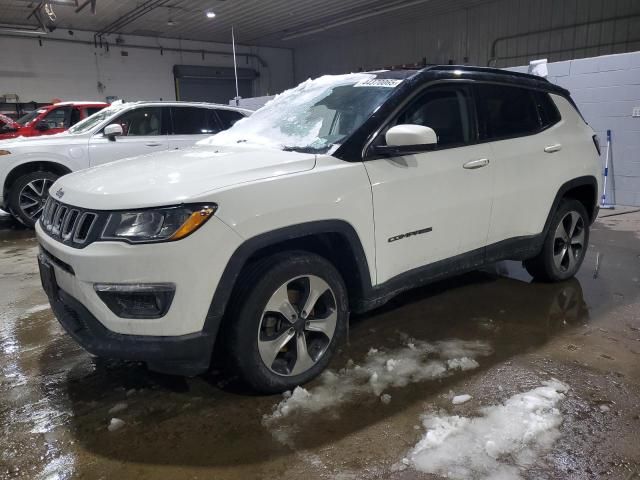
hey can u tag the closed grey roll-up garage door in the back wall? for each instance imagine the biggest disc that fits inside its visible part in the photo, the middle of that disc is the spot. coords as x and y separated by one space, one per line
211 84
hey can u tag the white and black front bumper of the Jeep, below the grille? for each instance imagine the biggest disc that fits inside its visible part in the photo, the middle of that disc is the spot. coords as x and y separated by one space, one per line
179 342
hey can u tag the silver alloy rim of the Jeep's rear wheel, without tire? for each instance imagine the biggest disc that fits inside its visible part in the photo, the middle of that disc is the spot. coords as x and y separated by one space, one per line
568 243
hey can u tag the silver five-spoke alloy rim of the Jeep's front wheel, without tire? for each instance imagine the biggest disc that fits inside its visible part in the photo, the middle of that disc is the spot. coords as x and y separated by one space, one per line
297 325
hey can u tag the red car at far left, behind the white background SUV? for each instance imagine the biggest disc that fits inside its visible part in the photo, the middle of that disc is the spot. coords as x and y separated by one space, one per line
51 119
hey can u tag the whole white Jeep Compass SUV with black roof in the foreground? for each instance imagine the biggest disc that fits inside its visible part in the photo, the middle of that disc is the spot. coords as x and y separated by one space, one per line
332 198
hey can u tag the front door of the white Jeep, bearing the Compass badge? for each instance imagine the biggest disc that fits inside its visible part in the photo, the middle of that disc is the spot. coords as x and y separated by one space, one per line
434 205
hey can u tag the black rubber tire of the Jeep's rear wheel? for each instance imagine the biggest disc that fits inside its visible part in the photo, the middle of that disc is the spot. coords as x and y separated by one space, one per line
544 266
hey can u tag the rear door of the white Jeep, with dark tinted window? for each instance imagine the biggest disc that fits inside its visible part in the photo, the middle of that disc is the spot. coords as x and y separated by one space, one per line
519 124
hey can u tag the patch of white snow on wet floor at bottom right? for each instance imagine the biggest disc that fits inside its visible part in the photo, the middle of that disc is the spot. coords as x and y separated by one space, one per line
497 444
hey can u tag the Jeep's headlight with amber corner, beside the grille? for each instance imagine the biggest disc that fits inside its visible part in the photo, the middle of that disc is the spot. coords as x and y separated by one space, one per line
157 225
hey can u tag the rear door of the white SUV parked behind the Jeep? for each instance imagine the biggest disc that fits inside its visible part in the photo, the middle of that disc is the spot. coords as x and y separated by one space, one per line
191 124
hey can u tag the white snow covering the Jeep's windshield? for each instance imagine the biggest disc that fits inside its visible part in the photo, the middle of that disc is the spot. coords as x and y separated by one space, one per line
287 119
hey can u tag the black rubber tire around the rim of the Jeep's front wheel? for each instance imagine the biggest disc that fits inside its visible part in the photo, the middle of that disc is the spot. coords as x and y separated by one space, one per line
243 323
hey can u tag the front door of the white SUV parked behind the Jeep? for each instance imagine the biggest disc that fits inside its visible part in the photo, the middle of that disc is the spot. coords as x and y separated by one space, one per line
144 131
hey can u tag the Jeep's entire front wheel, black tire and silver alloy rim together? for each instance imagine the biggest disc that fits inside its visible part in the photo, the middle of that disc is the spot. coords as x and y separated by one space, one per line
286 320
